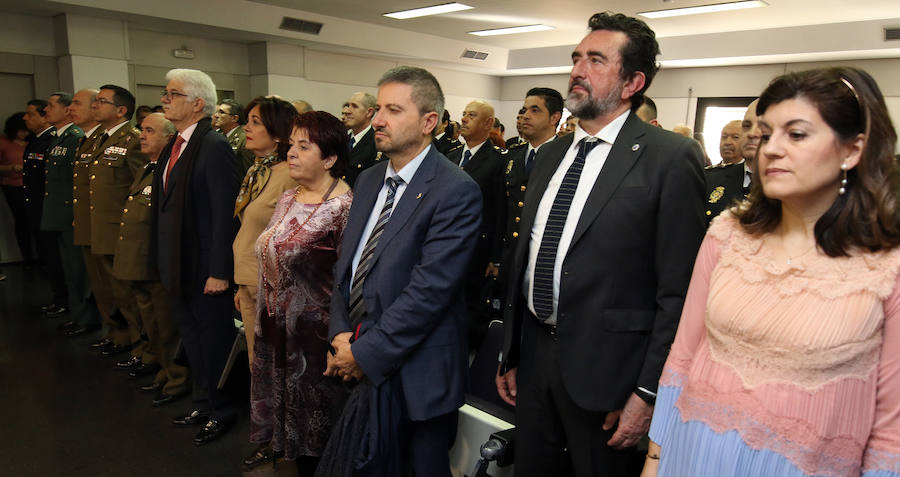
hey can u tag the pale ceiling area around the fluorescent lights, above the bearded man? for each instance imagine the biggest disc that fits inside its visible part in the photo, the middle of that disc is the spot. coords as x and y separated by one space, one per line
569 17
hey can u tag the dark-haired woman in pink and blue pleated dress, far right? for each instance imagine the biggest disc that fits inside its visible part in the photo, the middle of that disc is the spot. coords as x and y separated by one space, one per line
787 357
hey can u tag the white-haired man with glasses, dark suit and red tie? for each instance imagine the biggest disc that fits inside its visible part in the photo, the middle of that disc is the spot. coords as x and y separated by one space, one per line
194 187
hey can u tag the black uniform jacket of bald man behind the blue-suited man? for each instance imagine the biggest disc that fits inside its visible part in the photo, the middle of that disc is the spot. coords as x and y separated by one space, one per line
486 168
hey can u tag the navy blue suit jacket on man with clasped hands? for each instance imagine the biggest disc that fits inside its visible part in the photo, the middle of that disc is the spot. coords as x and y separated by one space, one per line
413 291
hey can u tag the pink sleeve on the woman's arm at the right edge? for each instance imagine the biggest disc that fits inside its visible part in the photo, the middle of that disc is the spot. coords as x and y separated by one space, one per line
882 456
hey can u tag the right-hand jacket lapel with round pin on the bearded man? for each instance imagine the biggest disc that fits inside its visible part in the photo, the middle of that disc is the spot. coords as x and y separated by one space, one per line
623 155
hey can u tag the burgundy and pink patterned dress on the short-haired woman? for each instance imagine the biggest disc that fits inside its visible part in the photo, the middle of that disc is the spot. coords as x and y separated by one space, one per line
291 403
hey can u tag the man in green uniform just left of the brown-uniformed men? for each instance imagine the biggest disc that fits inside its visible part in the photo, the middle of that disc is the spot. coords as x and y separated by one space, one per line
56 216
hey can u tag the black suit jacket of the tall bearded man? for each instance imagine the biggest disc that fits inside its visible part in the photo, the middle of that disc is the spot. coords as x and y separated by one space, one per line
626 272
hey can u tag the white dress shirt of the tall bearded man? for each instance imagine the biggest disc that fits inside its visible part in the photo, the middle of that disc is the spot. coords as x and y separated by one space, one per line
593 164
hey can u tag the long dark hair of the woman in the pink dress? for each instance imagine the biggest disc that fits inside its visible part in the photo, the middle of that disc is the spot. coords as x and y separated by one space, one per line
867 216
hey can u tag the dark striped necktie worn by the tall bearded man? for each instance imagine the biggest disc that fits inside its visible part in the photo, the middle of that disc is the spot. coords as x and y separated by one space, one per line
542 282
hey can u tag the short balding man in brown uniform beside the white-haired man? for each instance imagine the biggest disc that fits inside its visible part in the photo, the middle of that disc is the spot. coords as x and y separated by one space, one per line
133 266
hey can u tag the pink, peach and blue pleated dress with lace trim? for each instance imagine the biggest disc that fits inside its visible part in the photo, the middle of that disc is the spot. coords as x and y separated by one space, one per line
783 369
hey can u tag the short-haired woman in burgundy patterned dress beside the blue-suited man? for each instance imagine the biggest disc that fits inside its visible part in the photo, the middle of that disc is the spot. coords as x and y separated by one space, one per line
293 405
